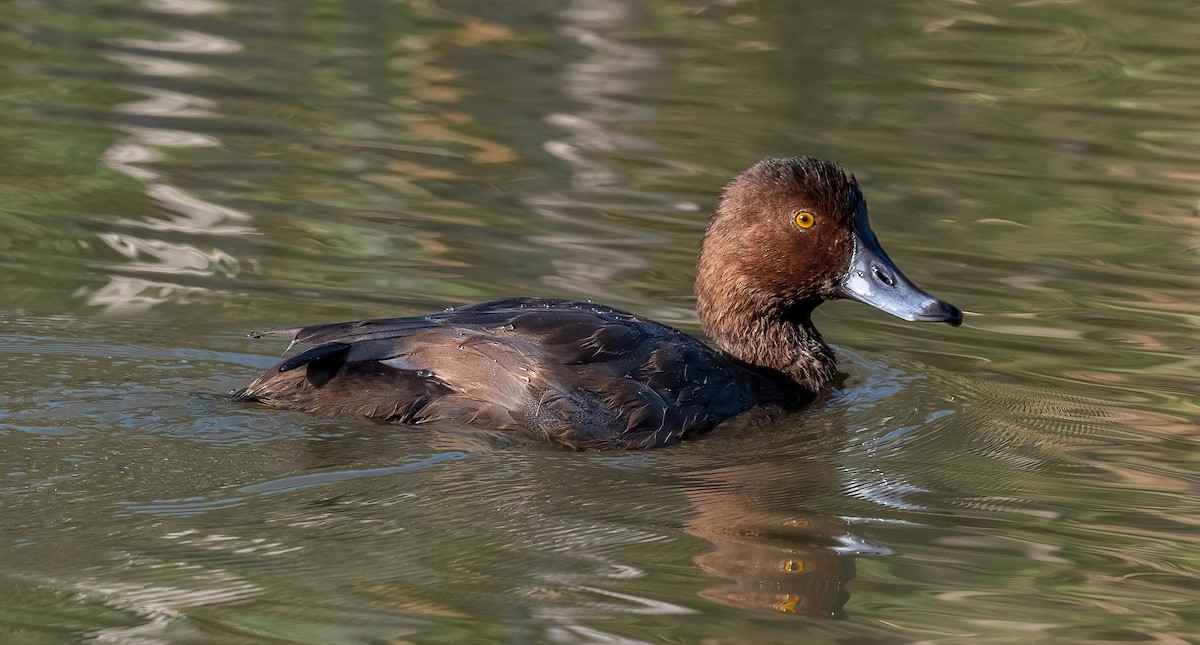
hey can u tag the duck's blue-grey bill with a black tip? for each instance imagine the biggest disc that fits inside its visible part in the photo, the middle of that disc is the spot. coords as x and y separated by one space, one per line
874 279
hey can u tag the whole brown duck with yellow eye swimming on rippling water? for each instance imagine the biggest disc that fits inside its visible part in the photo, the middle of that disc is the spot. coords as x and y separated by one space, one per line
787 236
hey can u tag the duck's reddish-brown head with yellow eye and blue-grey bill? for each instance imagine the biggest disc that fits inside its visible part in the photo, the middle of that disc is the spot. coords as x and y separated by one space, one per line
788 236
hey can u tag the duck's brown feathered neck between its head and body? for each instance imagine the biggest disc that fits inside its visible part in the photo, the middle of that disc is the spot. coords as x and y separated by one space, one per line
770 336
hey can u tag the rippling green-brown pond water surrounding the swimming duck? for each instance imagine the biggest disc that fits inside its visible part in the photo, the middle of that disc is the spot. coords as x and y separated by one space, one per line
179 173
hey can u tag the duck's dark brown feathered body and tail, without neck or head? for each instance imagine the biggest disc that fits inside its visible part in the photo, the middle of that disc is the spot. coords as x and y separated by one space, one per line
571 372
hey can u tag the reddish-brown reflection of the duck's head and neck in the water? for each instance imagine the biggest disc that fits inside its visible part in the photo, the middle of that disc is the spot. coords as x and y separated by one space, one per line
766 550
